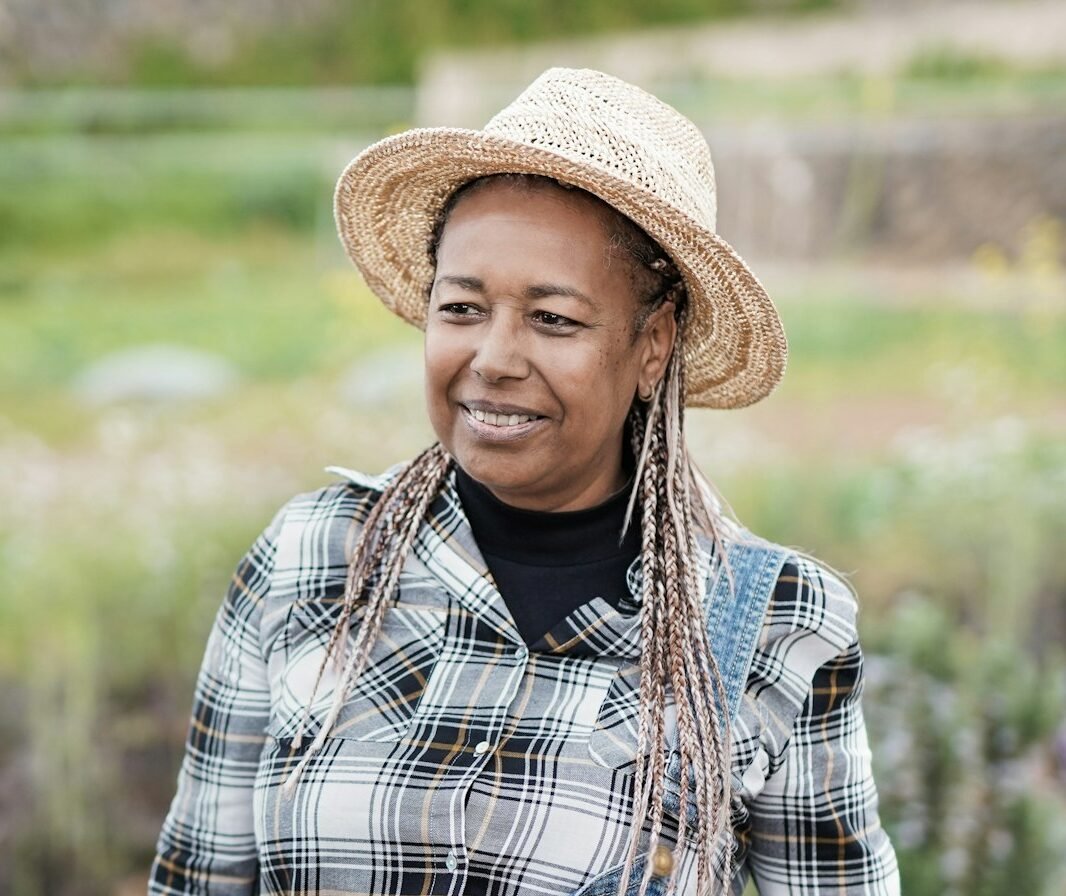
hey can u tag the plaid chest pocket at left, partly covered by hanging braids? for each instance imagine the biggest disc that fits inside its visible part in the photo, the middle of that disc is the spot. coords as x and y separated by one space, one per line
383 700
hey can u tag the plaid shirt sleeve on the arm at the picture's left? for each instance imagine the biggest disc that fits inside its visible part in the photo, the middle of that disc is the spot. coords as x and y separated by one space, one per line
207 843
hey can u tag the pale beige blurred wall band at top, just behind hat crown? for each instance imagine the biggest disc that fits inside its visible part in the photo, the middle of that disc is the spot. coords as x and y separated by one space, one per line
466 89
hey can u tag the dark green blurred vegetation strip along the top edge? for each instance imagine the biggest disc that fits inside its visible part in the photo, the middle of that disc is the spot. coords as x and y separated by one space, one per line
393 35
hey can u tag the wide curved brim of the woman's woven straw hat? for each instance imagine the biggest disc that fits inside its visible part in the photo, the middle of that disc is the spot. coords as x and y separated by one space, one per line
390 197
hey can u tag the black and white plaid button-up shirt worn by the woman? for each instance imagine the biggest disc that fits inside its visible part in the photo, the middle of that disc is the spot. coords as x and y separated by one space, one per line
465 762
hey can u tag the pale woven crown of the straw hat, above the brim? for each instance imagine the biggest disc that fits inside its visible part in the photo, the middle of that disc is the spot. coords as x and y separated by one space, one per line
600 121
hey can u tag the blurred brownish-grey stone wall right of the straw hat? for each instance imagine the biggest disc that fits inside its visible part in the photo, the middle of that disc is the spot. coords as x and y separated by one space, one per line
902 192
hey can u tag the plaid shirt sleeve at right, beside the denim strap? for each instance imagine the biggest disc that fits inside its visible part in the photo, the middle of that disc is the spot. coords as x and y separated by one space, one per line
815 827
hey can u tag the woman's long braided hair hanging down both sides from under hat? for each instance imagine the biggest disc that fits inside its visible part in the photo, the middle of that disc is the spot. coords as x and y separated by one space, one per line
675 651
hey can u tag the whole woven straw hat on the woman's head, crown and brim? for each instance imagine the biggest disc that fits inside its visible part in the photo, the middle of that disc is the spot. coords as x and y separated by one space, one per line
605 136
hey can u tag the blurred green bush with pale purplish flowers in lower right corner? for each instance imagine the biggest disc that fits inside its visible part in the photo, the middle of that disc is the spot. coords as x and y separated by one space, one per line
961 723
